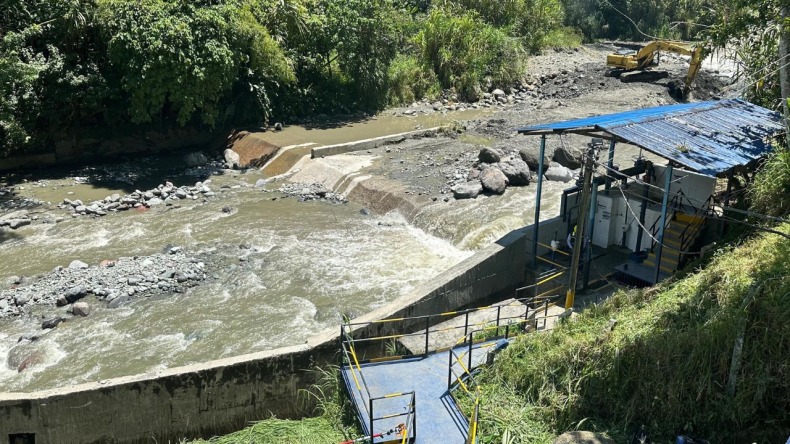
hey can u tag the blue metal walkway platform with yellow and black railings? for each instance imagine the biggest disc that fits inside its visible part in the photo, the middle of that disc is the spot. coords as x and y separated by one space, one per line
438 419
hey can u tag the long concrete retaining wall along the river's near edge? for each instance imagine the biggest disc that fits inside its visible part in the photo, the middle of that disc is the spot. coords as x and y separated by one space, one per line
220 396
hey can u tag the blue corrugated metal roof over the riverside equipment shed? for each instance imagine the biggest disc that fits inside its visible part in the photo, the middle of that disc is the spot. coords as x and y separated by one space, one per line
708 137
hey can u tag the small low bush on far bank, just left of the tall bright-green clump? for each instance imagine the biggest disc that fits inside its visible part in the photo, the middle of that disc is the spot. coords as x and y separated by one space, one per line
409 80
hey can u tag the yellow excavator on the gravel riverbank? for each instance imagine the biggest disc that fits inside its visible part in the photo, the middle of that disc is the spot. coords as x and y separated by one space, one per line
633 66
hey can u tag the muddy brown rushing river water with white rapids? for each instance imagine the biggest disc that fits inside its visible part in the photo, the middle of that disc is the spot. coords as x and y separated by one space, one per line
306 264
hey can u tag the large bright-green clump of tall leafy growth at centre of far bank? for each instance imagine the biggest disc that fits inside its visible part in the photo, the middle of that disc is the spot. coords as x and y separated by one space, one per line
464 51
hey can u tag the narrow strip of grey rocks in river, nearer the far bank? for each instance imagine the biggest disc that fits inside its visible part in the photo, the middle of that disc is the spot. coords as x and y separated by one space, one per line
164 194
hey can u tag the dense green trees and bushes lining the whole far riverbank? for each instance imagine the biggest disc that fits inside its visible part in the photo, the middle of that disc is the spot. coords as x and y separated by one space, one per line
66 65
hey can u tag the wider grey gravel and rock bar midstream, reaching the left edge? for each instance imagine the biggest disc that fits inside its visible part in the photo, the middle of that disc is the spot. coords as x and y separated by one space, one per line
114 282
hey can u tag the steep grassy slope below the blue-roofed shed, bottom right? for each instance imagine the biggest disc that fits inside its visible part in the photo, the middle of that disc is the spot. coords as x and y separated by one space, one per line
666 360
